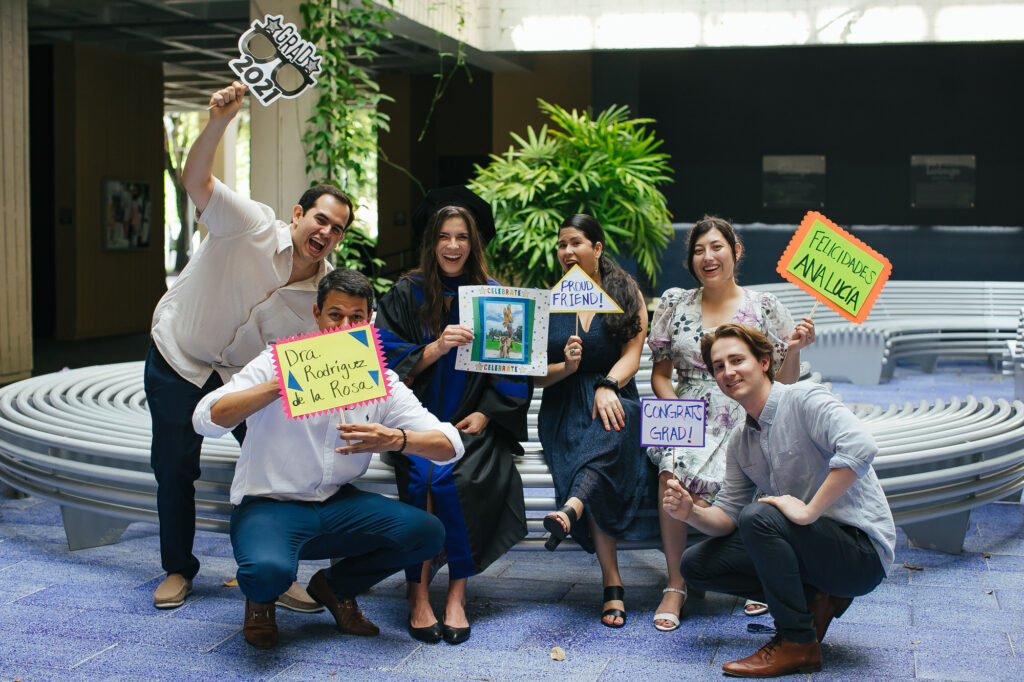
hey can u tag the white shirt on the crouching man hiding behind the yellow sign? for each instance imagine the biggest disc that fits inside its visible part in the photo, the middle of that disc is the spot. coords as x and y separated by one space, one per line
288 459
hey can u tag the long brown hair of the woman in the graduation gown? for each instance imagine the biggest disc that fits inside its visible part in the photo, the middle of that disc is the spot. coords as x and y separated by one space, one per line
434 314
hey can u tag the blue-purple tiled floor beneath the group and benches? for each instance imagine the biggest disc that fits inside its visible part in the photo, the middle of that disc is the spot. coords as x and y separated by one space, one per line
89 615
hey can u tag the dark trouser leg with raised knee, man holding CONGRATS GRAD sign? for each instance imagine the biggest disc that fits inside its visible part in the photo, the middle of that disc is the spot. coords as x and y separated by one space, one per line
794 562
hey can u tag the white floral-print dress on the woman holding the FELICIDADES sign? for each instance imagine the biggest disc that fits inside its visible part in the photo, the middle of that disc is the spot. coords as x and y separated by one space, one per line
675 335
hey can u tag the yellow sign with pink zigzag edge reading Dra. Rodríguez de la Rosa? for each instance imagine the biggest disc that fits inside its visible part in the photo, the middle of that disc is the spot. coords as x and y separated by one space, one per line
331 370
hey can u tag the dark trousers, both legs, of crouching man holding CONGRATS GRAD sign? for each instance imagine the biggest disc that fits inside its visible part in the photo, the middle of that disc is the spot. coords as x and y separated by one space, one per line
772 560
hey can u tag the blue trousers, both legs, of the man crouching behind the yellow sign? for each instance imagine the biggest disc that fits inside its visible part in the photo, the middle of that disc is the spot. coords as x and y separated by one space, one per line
376 536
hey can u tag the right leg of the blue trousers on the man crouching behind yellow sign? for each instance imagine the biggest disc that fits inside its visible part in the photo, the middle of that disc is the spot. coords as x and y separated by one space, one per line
377 536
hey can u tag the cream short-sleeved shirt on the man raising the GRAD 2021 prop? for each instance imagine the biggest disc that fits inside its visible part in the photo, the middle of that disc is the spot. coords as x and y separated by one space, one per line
232 300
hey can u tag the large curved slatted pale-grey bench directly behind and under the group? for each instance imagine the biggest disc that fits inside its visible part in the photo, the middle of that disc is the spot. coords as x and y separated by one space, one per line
81 439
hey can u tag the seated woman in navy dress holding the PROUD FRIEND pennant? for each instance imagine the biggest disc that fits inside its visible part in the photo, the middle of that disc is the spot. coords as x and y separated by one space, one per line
590 416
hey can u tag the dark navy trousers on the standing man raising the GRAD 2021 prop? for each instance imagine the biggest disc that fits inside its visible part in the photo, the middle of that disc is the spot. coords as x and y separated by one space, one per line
175 458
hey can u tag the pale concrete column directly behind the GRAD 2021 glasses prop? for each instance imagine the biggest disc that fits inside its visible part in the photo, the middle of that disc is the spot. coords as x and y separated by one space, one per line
278 176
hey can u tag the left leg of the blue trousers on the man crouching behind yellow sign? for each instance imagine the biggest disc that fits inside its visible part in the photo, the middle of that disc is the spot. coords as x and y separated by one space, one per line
268 536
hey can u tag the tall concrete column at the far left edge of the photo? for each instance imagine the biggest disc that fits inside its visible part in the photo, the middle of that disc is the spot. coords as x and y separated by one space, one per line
16 251
